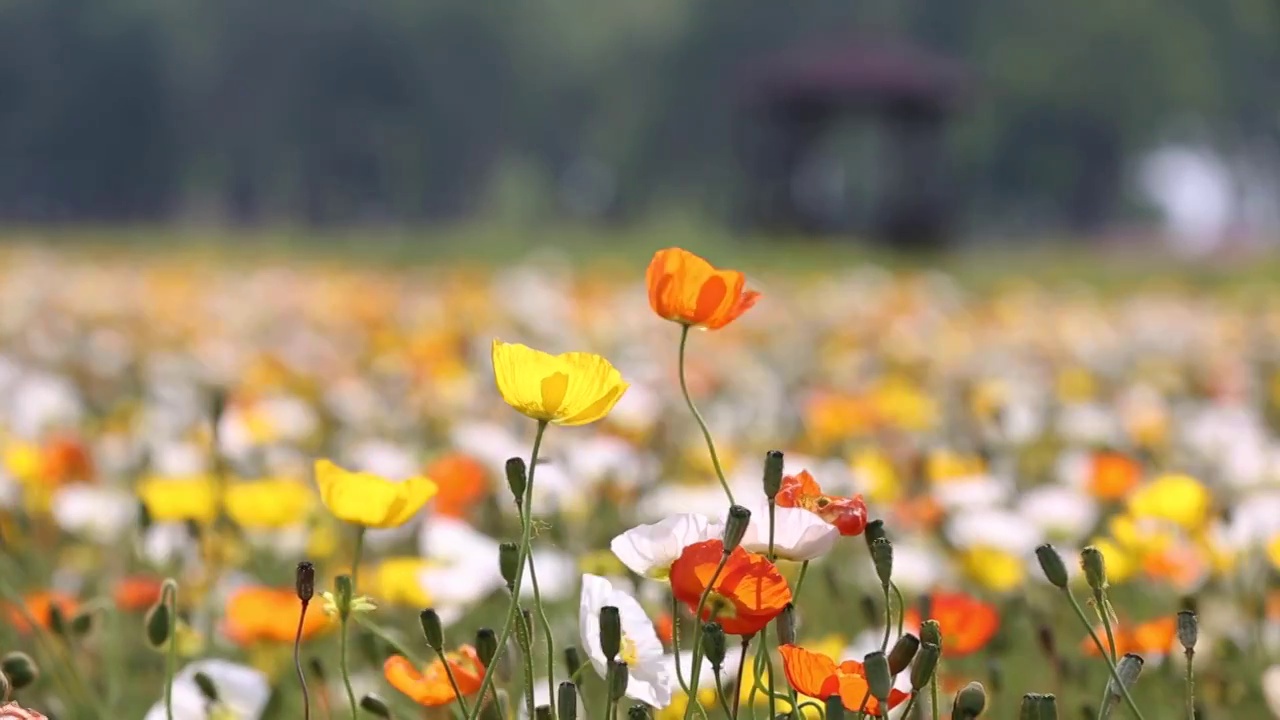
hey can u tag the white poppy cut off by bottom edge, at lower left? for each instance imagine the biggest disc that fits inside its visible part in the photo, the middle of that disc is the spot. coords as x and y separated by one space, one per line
243 691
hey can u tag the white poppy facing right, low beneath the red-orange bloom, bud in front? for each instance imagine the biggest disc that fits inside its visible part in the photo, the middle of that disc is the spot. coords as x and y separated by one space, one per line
648 680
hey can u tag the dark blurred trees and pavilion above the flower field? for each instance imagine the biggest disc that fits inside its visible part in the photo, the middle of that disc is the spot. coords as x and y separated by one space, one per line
918 124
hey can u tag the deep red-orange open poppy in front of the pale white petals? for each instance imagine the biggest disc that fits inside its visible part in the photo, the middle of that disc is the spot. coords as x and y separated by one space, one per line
746 598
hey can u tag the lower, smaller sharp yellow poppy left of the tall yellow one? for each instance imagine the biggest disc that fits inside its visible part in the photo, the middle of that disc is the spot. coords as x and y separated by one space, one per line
369 500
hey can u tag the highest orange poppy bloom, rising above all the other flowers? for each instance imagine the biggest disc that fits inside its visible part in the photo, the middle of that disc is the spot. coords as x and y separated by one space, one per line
687 289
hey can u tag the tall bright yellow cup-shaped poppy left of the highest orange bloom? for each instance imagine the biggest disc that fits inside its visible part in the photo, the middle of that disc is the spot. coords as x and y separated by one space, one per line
573 389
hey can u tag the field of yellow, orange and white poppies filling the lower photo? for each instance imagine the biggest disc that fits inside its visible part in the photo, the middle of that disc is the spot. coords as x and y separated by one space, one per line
670 491
